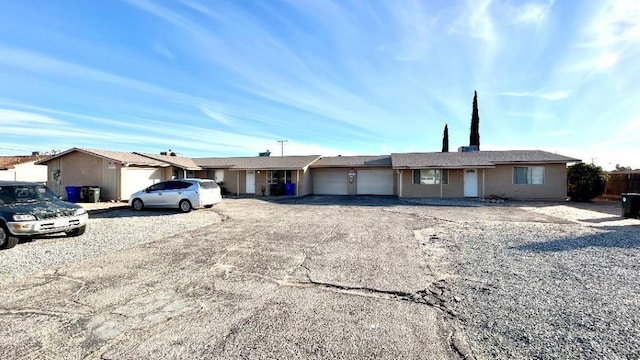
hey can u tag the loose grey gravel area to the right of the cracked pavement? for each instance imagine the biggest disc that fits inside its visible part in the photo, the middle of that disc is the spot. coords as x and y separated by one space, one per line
557 289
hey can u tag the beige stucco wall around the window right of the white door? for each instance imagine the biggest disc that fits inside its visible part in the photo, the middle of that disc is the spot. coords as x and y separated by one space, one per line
499 181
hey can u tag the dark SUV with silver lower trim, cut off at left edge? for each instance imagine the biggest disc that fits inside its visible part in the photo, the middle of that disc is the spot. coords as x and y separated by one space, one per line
28 209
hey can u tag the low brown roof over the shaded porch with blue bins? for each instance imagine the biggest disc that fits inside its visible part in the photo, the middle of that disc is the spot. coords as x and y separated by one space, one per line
258 162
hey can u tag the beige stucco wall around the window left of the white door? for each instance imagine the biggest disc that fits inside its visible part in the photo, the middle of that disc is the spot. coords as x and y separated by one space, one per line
453 189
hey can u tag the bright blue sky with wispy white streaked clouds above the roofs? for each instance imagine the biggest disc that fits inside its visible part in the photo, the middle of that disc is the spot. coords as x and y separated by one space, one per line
230 78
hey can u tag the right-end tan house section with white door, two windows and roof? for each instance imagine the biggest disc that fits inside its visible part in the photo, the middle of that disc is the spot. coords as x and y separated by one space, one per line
516 174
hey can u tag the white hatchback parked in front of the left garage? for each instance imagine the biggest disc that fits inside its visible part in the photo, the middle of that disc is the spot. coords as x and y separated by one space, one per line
184 194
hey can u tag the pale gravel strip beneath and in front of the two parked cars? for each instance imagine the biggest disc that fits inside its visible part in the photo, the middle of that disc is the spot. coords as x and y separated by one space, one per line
106 232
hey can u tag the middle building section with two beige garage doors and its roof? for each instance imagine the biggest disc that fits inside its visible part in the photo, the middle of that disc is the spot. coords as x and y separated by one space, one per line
353 175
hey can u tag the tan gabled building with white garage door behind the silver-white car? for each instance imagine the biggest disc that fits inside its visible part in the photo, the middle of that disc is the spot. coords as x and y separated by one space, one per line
118 174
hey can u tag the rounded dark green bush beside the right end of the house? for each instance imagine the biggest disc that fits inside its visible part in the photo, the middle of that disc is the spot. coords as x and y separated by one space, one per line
585 182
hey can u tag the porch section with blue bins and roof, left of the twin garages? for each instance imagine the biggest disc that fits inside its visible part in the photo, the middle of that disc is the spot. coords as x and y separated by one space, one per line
261 174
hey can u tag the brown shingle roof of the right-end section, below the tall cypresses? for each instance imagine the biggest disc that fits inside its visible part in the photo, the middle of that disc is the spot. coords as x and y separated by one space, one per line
475 159
